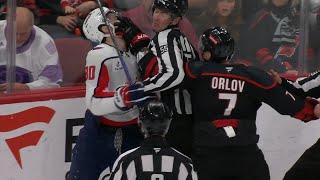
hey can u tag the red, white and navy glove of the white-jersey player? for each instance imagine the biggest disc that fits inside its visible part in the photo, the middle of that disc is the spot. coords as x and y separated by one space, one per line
129 95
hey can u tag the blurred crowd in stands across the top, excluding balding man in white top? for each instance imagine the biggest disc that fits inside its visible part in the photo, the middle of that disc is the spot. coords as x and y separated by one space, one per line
267 32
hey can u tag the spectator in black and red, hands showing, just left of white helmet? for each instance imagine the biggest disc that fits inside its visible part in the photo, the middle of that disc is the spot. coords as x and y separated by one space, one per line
53 20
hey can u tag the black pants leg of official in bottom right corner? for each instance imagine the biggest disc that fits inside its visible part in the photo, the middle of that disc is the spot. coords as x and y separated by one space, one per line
307 166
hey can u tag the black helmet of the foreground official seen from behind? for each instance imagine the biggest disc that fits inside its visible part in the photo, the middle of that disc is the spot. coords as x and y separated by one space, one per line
155 118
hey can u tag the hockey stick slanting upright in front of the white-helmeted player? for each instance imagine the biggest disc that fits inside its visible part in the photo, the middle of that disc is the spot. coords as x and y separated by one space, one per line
125 67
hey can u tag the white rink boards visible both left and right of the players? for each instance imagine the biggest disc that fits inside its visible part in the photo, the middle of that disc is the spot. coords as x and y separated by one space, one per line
37 134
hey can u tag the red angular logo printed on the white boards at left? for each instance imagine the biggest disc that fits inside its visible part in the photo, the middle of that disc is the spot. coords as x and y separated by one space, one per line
18 120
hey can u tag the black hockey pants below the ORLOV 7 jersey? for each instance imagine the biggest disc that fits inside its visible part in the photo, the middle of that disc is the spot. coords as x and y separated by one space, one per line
231 163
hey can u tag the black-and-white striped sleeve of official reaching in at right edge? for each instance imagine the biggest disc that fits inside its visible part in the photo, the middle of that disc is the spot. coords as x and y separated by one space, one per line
305 86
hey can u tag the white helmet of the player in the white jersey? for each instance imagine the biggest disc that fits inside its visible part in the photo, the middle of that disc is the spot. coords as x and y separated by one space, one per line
94 22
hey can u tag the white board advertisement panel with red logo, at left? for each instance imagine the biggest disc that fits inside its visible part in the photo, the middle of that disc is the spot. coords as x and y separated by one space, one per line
36 138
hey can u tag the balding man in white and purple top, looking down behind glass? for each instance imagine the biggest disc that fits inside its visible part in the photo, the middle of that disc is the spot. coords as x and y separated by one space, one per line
36 59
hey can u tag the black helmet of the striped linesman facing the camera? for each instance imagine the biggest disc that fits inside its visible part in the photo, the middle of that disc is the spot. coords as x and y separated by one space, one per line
177 7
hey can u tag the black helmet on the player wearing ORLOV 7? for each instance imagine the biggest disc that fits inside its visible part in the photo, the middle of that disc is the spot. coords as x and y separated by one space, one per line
218 42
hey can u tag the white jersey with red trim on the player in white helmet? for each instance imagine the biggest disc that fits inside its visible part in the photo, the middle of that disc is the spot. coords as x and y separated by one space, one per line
104 73
